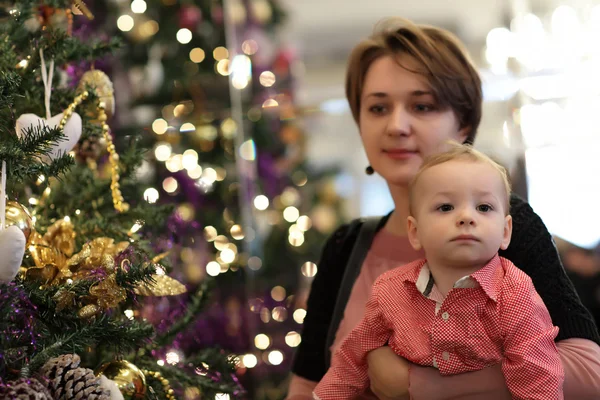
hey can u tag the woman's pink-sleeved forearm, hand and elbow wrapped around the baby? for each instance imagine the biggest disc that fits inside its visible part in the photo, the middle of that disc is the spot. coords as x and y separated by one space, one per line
580 359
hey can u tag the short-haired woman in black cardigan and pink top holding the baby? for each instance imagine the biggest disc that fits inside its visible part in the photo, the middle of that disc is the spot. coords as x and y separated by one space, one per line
410 89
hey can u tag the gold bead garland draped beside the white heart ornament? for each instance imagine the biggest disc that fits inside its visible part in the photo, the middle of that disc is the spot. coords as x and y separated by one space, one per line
118 200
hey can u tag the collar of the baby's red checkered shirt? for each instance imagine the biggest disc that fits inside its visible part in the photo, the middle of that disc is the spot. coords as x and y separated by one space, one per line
488 278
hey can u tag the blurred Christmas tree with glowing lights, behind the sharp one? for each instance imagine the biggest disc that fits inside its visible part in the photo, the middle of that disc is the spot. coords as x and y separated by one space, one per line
213 85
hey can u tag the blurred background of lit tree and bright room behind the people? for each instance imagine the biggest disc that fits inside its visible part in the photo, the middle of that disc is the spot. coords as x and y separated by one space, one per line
242 103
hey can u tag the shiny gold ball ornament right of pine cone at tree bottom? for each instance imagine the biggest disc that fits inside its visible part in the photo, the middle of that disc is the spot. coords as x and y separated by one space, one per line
130 380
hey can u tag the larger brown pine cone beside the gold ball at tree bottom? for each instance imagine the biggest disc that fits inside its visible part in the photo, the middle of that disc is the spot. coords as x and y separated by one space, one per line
70 382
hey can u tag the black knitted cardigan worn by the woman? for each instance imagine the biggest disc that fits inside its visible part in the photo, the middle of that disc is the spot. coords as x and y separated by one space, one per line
531 249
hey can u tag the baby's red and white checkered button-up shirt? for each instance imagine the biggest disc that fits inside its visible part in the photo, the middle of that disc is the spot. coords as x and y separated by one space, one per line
492 316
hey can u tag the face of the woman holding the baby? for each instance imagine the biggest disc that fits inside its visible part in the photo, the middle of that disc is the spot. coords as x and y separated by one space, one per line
401 121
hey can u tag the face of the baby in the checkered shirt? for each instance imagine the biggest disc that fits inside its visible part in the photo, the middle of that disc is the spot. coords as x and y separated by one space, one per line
460 213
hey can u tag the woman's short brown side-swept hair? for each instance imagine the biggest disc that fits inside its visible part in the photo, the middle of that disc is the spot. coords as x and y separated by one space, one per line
445 64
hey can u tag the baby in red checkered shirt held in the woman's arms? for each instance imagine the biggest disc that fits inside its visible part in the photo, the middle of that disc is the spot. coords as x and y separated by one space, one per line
463 308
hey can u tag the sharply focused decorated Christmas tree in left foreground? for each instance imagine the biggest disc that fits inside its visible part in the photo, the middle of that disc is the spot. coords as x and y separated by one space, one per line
84 250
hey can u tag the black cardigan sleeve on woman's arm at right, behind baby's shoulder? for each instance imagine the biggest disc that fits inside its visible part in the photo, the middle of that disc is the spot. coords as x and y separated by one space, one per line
532 250
